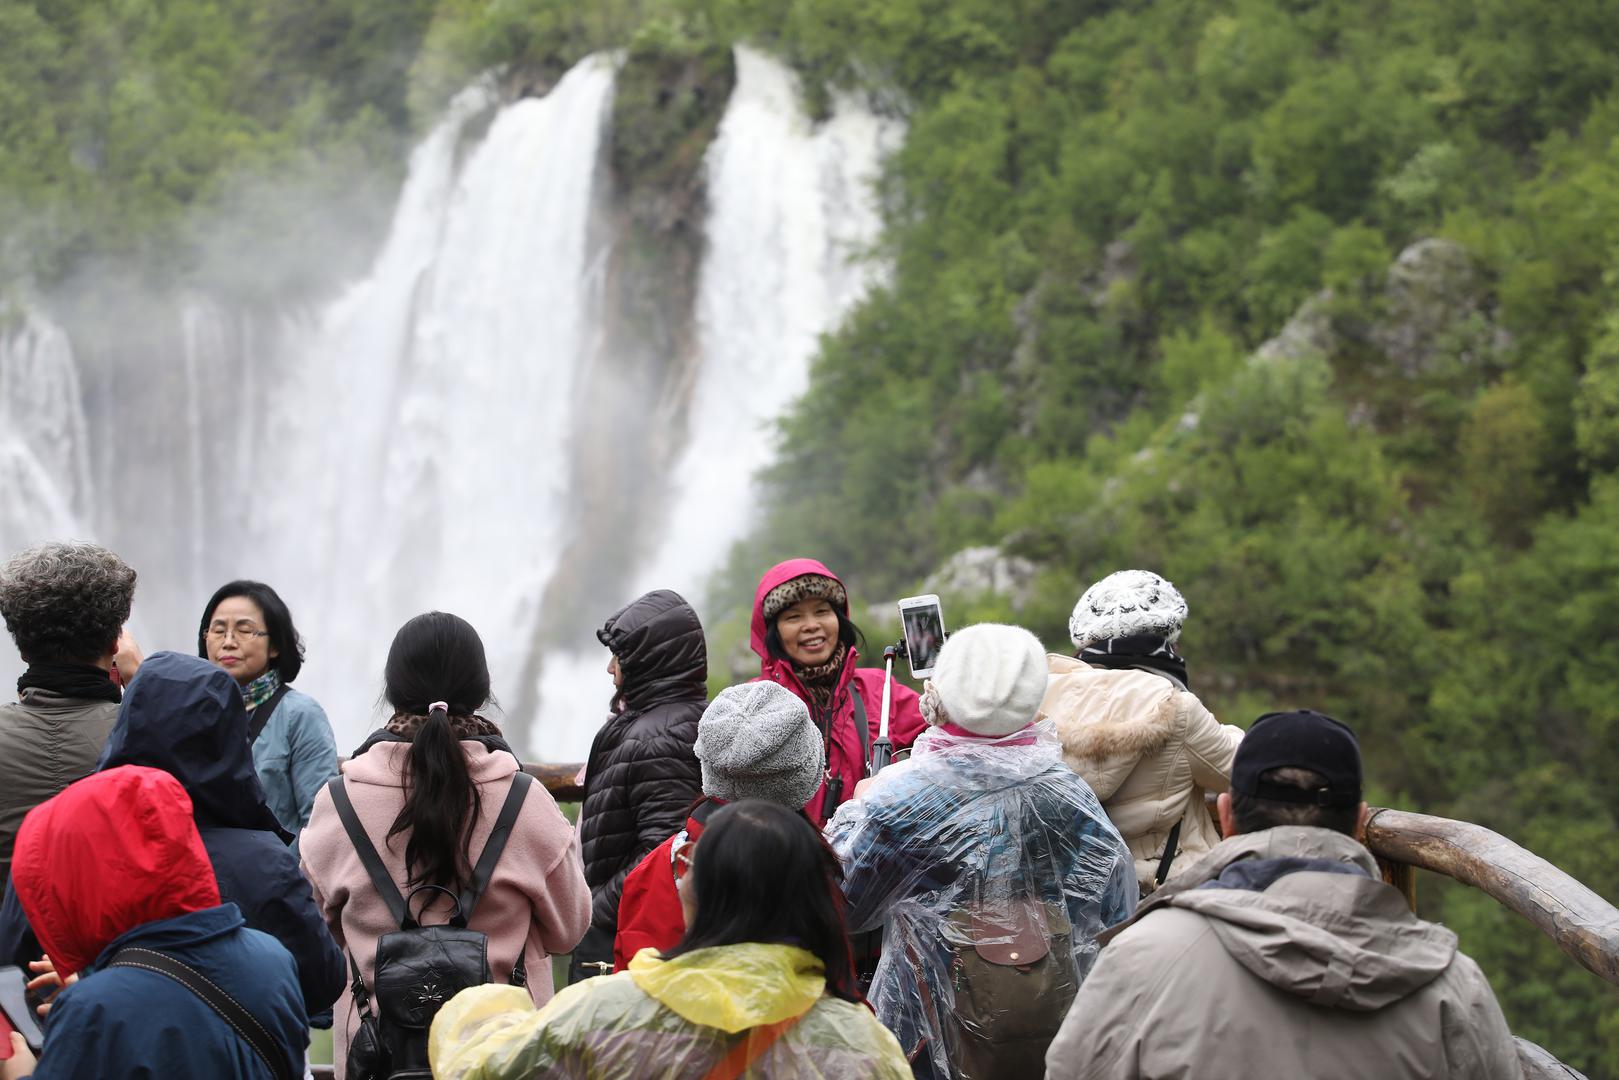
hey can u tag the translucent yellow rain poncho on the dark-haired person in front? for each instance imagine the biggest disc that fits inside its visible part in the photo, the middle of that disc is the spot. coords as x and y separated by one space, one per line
668 1021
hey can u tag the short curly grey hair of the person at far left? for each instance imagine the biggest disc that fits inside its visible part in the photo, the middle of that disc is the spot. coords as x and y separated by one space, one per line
66 602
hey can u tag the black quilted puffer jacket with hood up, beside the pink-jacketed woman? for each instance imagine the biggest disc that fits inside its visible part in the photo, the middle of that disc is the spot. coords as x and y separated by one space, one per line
644 776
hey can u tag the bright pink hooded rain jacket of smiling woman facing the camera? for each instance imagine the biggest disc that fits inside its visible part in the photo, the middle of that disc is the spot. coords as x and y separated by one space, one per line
846 757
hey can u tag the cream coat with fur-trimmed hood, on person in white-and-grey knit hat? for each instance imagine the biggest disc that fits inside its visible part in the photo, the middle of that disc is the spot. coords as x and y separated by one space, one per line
1150 752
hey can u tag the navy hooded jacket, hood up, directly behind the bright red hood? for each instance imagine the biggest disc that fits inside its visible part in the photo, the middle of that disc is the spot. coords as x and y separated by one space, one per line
187 718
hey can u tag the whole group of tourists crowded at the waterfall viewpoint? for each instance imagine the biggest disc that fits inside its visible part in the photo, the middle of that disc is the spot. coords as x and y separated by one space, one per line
1034 887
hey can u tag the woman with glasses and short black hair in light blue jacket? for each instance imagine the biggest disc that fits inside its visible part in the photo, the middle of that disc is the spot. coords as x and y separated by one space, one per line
249 631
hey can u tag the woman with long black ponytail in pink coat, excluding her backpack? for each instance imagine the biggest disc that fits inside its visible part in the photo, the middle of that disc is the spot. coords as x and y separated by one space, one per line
428 789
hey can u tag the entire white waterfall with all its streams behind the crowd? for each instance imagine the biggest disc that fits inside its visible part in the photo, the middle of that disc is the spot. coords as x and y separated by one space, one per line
412 446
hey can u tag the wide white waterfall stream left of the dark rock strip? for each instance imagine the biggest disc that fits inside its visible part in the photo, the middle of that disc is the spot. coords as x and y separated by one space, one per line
435 410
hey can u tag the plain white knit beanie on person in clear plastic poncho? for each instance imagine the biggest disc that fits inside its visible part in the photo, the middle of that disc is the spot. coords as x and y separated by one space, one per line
990 679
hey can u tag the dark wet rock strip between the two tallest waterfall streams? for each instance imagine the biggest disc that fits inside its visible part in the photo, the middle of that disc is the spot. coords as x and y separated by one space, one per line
668 106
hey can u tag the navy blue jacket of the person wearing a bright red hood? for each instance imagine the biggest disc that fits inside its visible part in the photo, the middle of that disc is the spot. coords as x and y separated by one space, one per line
130 1023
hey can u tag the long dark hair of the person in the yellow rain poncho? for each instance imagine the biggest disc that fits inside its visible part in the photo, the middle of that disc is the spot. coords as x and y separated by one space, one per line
763 874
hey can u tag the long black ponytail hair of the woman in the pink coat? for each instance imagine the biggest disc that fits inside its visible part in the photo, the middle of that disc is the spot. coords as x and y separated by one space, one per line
436 658
